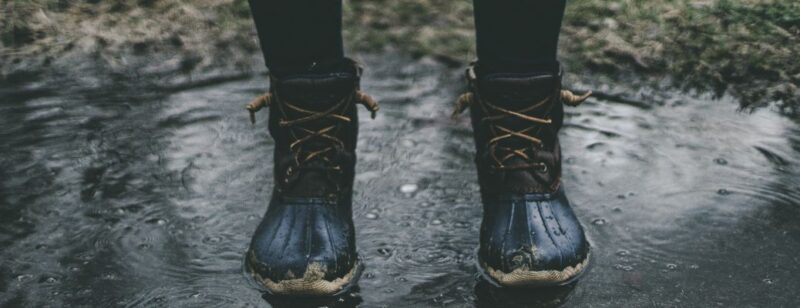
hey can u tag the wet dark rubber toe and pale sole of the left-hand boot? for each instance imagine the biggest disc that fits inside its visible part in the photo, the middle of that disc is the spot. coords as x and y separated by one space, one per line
304 247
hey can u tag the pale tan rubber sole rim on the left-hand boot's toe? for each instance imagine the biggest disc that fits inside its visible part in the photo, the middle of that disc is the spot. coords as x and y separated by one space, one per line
311 285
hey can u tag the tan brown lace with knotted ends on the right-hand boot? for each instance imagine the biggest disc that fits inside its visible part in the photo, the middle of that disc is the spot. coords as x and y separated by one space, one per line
501 154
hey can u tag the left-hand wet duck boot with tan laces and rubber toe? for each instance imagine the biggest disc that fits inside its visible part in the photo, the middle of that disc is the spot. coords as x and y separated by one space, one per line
305 244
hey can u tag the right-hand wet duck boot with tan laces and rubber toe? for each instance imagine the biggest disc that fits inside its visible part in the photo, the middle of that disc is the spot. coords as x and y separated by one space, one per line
529 234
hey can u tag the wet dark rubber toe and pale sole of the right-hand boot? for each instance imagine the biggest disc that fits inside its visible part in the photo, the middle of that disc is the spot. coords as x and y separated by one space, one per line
532 239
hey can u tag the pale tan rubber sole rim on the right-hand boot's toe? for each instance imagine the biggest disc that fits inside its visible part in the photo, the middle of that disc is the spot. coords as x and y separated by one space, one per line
521 278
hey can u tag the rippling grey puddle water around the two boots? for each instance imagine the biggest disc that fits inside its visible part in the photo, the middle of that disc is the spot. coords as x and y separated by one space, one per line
122 196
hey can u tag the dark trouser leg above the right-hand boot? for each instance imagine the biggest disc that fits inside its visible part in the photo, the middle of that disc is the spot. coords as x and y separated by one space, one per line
517 36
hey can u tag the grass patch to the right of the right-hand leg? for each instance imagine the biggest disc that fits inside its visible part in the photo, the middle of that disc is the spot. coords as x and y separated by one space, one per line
744 47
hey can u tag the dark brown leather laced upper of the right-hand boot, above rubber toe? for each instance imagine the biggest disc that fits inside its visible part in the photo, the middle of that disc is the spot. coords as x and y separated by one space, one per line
516 119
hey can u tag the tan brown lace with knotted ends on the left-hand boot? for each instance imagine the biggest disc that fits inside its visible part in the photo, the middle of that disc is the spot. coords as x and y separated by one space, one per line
302 135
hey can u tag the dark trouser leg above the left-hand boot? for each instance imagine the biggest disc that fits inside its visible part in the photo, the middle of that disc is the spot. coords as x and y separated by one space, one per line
299 36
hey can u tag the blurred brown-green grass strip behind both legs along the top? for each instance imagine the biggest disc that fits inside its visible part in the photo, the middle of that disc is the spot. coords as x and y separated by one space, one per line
747 48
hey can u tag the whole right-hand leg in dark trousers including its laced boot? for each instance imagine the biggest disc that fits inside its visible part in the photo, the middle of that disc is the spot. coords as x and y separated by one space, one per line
529 234
